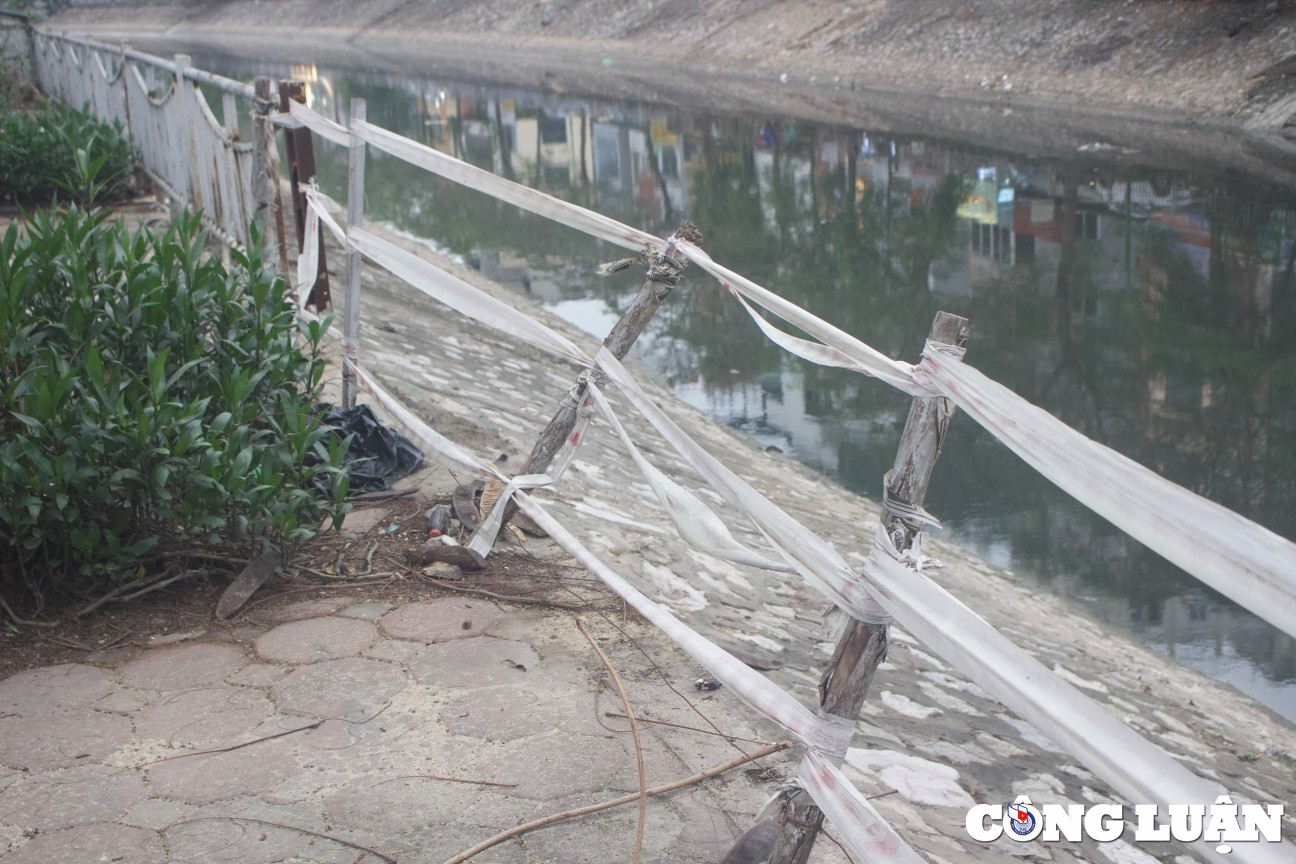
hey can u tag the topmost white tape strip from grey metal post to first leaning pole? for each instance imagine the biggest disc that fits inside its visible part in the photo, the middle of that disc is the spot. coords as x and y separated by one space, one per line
538 203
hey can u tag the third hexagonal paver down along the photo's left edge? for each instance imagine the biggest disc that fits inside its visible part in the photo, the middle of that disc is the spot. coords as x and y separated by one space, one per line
72 797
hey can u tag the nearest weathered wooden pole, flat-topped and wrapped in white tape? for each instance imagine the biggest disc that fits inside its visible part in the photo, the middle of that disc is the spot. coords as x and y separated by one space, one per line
864 647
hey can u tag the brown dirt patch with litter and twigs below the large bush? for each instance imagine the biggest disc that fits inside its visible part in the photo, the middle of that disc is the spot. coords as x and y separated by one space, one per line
374 568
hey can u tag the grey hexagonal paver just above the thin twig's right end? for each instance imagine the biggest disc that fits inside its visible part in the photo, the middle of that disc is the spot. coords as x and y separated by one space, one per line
348 690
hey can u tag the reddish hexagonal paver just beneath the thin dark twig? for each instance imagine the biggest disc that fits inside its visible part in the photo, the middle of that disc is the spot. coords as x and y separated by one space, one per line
204 779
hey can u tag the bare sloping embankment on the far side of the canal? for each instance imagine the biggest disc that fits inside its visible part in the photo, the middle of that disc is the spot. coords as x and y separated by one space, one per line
1177 59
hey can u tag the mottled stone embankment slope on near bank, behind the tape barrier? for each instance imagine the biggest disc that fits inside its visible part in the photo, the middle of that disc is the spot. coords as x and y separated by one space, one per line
926 731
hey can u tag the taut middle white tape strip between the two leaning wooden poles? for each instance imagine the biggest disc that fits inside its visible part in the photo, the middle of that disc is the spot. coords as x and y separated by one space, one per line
817 562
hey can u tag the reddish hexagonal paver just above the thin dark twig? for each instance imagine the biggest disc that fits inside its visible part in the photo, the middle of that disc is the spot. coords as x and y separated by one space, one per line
204 718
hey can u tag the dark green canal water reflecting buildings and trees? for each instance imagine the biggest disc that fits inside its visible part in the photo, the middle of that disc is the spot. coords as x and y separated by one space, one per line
1149 304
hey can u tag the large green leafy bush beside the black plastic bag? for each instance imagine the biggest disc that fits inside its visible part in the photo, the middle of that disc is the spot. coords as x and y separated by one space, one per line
148 393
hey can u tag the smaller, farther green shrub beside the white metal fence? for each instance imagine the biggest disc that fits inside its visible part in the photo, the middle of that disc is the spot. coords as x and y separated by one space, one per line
59 152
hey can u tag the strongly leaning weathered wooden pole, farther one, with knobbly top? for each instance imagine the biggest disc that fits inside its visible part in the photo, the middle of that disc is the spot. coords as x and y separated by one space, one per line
664 273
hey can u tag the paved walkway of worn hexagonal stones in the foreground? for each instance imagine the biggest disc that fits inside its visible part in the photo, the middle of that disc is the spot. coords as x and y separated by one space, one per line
417 731
